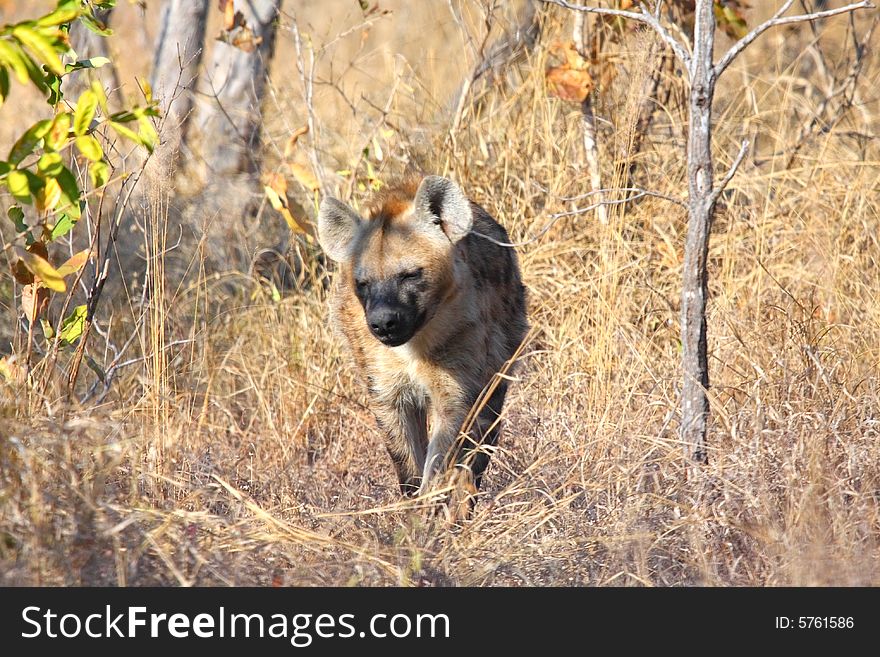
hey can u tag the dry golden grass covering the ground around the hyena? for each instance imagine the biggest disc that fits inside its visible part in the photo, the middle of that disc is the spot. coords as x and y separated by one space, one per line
239 449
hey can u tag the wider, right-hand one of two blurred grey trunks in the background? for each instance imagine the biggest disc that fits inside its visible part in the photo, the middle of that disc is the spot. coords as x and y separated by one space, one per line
229 118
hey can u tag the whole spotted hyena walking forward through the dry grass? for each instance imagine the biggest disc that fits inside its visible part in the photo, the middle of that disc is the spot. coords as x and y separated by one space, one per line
432 308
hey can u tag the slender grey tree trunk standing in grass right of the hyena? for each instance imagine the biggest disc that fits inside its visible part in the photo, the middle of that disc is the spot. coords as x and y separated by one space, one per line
701 205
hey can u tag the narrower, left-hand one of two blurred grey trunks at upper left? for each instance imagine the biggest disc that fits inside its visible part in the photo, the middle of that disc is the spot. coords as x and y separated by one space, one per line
178 55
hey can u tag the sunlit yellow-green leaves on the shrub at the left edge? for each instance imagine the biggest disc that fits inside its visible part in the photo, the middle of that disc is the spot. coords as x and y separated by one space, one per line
38 170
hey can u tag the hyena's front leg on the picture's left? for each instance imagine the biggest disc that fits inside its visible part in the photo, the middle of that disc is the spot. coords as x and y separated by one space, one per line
404 423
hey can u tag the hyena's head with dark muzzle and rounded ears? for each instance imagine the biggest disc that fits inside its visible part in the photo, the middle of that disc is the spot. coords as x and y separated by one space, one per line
400 259
